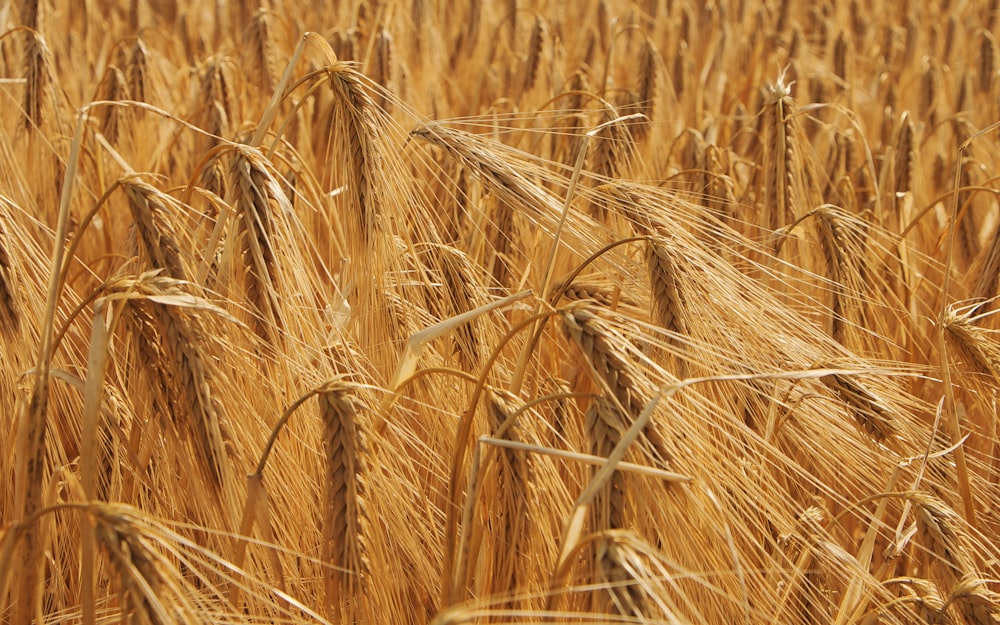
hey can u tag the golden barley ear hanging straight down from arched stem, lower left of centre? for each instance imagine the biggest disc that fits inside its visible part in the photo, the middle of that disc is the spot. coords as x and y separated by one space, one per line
345 490
